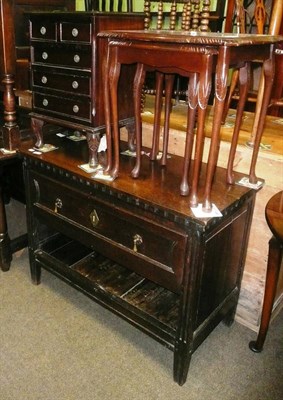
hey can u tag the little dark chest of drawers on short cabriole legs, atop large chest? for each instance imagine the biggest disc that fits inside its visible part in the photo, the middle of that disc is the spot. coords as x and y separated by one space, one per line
66 72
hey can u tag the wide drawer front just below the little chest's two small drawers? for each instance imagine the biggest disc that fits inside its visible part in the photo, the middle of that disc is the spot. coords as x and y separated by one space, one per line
68 56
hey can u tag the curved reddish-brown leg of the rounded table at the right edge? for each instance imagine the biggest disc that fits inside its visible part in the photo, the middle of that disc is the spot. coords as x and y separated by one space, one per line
272 274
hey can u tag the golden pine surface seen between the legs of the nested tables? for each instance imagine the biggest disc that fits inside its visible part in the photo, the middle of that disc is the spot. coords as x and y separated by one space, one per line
272 140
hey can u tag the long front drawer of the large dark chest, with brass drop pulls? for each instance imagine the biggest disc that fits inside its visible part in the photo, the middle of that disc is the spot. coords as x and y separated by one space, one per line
155 251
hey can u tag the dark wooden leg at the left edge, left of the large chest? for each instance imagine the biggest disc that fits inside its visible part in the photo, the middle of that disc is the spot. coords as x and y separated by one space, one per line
5 248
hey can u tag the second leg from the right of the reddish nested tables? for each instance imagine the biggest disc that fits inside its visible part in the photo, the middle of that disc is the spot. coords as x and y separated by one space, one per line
244 79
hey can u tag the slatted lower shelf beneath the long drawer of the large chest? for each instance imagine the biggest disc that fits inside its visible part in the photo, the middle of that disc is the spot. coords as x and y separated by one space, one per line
145 304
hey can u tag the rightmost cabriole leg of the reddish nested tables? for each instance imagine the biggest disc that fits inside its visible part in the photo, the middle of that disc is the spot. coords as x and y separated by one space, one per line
268 71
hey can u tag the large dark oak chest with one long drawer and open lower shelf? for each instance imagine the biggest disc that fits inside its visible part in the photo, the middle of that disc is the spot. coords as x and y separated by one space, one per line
135 247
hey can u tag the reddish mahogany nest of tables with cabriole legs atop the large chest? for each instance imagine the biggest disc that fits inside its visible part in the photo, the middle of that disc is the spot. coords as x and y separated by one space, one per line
199 55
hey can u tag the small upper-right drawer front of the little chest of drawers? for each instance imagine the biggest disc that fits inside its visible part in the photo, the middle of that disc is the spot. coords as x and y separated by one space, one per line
75 32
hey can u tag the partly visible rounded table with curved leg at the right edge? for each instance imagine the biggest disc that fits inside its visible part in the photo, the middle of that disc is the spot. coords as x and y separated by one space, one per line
274 219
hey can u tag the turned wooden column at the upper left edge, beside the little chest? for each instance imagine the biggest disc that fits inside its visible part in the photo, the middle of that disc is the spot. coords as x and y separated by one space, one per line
10 129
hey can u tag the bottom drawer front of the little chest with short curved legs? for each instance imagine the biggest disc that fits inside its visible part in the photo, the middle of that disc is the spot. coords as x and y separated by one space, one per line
77 108
